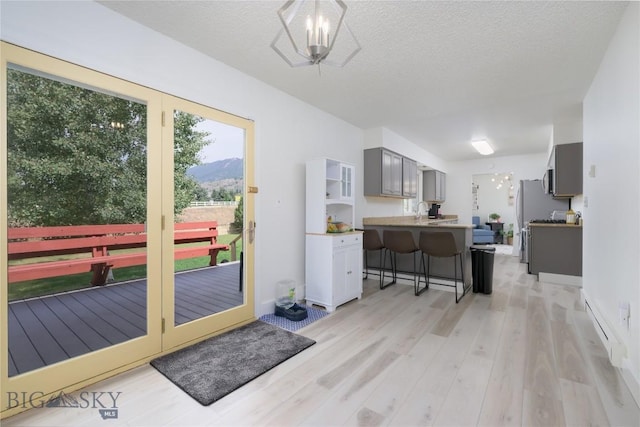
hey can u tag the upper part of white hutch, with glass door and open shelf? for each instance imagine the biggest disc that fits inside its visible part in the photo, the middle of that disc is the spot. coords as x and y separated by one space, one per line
329 193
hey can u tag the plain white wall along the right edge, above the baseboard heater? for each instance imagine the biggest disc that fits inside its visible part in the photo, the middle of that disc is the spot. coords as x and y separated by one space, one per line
611 116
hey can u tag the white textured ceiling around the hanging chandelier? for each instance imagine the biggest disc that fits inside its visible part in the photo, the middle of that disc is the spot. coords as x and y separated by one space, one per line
437 73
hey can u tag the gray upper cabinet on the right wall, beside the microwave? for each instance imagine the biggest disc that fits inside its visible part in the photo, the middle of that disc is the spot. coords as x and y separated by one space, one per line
567 171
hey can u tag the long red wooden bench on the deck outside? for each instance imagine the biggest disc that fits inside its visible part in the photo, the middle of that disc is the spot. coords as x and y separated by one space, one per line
97 242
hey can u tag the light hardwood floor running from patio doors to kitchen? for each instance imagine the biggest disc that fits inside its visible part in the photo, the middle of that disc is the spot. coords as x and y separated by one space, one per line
525 355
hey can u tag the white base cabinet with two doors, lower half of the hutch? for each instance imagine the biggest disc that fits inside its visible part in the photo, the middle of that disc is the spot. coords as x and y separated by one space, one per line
333 266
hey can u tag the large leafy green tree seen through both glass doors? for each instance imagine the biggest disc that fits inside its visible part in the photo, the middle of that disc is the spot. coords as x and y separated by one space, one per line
77 156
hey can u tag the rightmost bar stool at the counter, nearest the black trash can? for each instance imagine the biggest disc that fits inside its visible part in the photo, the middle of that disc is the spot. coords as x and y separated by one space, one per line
440 244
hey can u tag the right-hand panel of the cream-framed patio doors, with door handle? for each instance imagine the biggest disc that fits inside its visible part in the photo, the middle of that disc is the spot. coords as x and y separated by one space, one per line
207 299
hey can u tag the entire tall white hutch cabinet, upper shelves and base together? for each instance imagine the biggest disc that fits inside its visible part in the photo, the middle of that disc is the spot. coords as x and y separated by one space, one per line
333 261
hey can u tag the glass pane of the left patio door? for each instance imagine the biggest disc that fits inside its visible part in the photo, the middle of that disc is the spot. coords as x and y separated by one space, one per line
77 179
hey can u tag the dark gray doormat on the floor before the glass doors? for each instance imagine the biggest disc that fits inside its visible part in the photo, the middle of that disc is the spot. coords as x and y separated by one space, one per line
215 367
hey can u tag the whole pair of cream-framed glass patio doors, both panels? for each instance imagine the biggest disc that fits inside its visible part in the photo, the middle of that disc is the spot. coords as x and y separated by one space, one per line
81 151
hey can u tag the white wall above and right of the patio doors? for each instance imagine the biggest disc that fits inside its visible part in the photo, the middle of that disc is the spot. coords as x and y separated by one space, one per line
288 131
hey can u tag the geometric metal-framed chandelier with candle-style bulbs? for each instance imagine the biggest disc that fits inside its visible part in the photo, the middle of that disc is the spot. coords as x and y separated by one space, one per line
312 27
